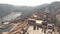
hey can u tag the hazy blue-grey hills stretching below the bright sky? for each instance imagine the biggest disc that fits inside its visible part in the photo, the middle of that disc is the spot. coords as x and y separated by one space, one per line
26 10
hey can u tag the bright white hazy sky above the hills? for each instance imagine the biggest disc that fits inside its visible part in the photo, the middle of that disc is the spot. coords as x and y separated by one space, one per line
26 2
